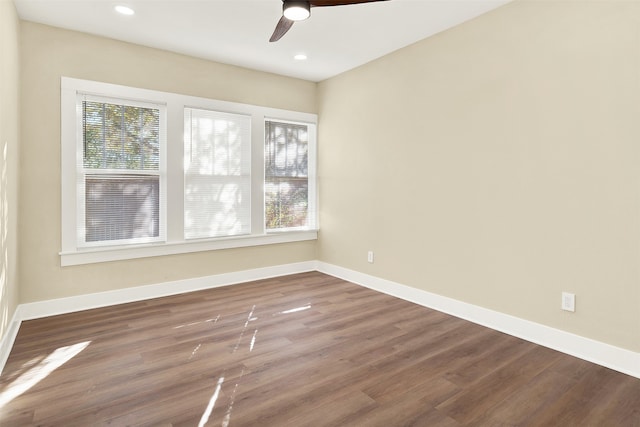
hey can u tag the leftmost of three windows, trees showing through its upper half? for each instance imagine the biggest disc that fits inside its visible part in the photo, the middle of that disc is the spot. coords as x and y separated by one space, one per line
120 172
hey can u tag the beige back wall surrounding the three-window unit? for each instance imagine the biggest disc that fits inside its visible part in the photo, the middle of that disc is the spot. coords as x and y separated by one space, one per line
49 53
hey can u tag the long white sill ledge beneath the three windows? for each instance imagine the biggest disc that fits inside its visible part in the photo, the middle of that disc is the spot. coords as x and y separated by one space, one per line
95 255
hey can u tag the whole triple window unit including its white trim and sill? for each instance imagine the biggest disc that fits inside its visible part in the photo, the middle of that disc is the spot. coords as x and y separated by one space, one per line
148 173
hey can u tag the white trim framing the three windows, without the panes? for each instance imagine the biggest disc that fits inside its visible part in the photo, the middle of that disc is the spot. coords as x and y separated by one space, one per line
175 243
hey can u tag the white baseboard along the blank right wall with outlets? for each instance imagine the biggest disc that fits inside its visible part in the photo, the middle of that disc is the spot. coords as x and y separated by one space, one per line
619 359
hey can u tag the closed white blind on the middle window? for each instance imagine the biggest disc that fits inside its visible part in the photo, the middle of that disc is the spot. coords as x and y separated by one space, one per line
217 155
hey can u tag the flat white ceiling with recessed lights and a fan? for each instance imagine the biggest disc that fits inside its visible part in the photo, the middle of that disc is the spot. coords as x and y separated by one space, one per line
335 39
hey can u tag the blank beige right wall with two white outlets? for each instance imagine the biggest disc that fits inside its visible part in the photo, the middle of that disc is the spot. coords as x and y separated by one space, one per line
497 163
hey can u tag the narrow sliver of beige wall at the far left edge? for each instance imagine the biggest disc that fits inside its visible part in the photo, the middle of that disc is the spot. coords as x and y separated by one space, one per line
9 146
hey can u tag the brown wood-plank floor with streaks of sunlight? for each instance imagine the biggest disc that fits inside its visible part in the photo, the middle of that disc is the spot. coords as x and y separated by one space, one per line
301 350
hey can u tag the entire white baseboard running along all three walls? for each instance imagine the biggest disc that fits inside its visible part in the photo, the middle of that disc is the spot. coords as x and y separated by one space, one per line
619 359
